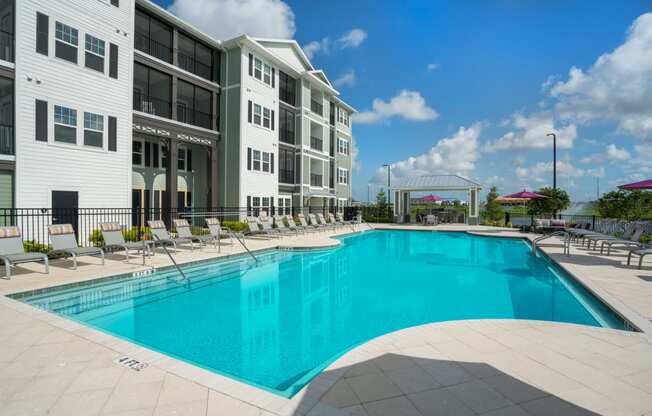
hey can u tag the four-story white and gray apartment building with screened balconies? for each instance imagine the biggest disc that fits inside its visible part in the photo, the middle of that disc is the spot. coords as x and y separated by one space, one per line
118 103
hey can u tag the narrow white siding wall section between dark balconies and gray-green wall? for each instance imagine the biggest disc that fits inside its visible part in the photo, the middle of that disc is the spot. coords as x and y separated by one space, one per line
252 182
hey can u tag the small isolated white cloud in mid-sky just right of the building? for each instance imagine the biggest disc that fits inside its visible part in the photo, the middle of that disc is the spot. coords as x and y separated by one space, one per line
409 105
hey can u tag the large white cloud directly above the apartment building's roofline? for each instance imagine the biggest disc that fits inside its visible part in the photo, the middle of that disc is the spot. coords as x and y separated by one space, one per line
225 19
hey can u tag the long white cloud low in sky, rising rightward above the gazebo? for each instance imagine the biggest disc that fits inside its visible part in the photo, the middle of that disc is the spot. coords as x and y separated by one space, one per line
454 155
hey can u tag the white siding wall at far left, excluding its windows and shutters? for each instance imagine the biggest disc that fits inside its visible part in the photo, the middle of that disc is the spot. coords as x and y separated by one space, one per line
102 178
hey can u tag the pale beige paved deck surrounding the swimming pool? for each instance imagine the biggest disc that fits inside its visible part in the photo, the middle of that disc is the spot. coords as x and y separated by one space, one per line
49 365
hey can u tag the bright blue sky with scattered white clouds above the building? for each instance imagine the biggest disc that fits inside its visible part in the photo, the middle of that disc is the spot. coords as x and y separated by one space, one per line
472 87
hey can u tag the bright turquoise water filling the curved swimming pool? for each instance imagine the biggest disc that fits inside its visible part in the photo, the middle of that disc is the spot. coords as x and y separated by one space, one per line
277 323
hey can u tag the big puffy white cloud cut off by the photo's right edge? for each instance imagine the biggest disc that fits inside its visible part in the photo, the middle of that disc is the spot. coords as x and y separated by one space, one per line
617 86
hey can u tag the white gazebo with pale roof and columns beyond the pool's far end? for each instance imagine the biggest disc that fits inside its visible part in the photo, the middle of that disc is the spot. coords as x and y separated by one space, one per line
435 183
